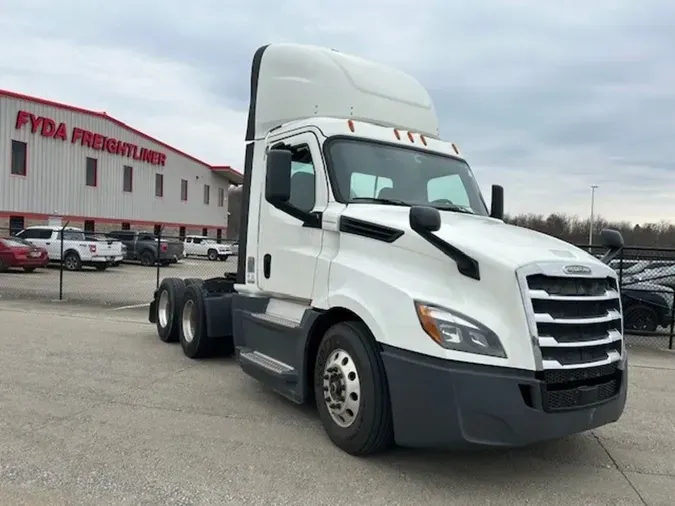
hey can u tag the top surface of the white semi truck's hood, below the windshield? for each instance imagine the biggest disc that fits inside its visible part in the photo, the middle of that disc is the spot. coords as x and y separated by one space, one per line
478 236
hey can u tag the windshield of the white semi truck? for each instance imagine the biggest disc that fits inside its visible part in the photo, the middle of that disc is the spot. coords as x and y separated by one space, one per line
365 171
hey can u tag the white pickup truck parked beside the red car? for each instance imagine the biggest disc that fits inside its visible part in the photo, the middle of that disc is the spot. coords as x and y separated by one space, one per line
78 251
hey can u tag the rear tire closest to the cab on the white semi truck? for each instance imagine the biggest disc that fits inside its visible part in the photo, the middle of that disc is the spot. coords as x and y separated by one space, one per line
193 338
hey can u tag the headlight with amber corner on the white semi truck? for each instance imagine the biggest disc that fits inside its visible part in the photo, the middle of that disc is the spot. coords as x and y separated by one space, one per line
458 332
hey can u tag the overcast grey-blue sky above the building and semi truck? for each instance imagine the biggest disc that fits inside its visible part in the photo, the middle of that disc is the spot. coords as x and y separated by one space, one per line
545 98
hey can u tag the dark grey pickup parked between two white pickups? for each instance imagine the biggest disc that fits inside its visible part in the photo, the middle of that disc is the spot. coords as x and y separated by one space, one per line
143 247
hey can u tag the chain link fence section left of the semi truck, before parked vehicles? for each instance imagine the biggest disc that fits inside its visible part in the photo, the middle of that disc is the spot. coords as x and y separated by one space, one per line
101 270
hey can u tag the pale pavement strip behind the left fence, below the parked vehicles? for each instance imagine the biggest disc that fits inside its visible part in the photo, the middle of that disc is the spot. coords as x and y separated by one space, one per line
126 284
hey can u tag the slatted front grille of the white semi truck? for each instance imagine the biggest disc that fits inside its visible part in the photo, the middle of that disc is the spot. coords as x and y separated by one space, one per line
577 330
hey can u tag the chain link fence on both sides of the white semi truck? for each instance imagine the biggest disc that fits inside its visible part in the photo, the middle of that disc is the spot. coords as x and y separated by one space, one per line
123 270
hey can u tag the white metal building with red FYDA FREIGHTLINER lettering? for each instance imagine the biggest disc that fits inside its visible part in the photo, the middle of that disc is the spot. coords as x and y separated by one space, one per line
100 174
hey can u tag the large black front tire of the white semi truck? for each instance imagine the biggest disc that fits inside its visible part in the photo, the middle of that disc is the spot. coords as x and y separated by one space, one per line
370 430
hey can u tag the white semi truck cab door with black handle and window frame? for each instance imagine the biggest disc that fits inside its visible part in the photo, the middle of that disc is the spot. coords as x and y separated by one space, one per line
287 250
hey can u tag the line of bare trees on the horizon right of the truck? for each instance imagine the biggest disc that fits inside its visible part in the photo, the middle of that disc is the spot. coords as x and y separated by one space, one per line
575 230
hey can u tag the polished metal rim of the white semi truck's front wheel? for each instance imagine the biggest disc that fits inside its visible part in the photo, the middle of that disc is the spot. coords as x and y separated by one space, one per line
341 388
